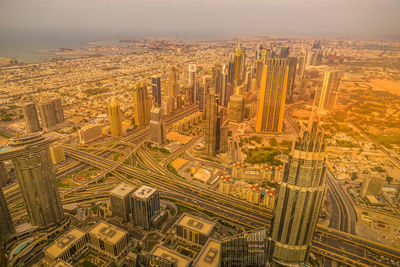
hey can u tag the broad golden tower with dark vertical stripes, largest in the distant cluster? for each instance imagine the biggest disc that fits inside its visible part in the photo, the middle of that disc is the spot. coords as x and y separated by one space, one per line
272 96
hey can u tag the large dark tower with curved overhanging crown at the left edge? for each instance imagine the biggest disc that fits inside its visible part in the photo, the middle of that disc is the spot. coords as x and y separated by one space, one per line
31 159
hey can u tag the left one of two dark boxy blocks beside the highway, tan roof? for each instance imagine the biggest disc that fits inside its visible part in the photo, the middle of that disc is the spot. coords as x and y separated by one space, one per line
120 202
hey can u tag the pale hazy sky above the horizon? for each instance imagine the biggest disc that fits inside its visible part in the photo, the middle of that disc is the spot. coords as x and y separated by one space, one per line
310 17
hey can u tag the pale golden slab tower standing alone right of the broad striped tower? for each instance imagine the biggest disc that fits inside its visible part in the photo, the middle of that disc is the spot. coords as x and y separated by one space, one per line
329 90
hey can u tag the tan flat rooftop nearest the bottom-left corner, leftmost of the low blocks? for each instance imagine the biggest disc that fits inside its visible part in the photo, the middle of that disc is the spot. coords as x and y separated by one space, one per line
64 242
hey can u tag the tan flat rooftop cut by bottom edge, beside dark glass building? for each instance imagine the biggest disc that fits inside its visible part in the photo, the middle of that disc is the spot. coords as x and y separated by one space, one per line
210 254
